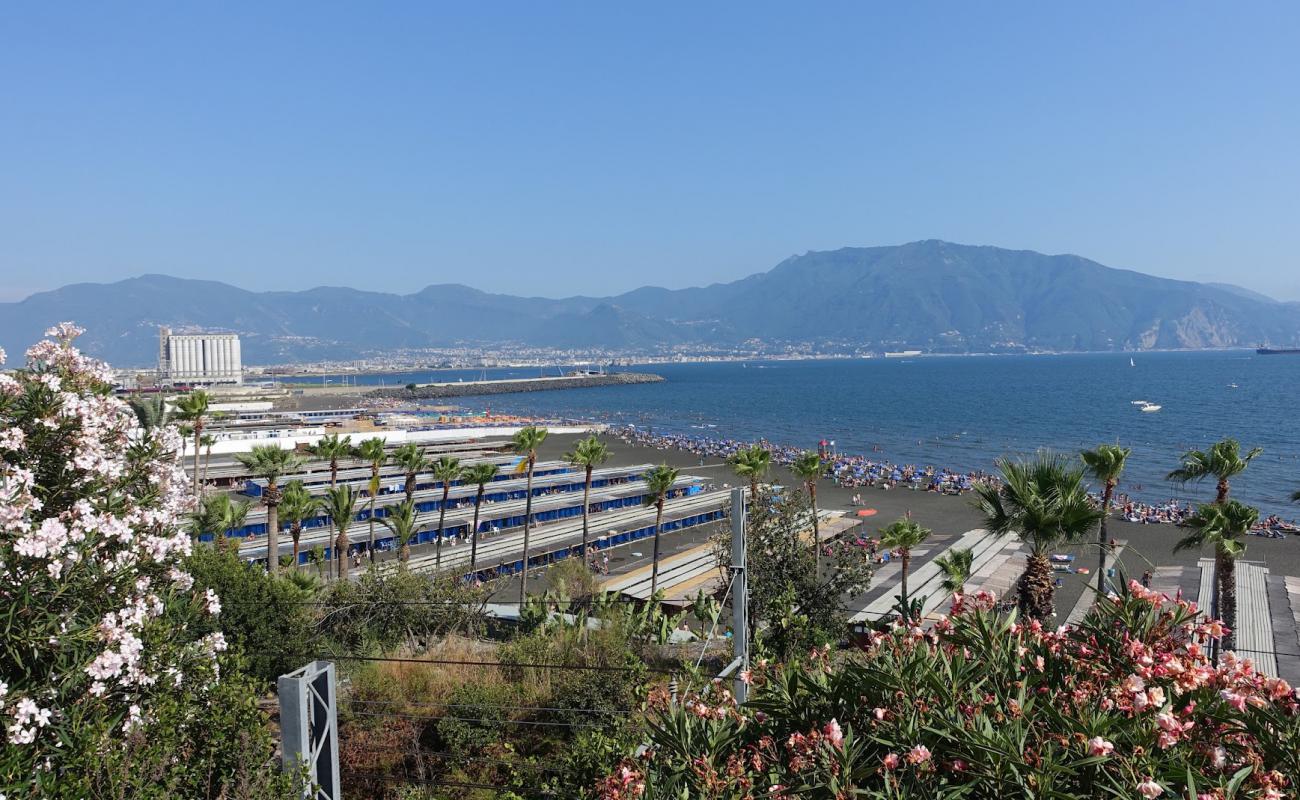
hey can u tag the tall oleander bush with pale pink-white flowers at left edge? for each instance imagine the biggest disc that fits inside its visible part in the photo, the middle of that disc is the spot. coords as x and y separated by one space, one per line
110 684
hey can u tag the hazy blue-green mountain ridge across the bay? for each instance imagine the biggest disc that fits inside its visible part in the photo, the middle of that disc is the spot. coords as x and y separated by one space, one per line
931 296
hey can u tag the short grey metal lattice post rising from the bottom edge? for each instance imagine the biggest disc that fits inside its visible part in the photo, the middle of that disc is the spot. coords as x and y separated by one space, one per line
309 728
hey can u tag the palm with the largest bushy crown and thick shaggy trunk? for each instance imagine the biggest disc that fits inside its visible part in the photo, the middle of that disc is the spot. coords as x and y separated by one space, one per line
1046 504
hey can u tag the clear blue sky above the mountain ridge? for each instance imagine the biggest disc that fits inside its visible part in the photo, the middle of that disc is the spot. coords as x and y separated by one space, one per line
560 149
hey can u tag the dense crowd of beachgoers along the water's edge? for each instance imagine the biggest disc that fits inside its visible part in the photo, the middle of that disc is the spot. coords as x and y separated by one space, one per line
860 472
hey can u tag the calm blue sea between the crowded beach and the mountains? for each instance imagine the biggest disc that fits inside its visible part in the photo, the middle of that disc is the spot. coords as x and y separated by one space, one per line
967 412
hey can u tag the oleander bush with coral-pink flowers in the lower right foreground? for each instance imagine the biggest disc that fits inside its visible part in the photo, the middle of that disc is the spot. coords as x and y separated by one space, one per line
1124 706
